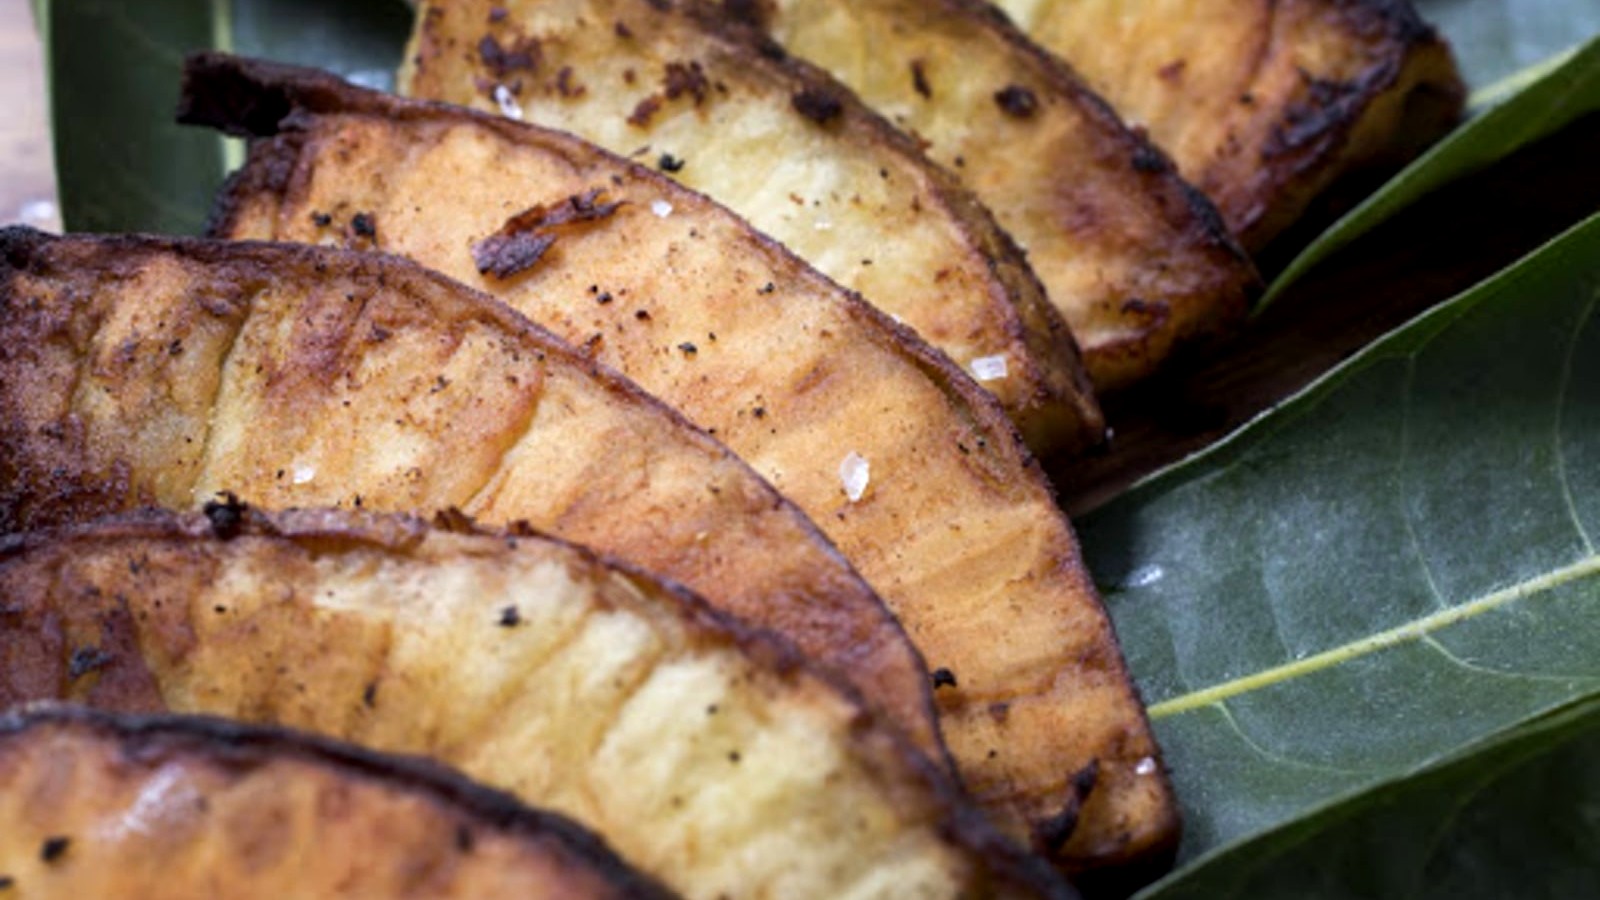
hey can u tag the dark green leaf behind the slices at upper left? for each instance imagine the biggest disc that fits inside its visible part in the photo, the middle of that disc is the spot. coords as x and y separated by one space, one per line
114 71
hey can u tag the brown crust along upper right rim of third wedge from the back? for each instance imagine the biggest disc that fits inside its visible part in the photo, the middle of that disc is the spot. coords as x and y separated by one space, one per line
1062 416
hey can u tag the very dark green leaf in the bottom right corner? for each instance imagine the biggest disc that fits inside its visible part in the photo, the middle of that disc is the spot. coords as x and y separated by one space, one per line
1495 822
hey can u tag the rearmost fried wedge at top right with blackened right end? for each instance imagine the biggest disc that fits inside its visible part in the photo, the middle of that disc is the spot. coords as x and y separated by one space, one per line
1262 103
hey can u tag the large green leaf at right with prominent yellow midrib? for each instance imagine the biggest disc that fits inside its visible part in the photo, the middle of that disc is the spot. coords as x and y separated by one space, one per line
1393 566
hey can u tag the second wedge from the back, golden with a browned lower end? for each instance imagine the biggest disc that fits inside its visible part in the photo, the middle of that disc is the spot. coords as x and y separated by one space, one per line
1135 260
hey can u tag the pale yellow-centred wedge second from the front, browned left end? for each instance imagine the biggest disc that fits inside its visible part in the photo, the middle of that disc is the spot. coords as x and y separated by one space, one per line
708 755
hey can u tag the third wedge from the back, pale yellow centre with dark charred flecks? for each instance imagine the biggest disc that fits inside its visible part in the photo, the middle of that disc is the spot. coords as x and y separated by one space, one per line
790 150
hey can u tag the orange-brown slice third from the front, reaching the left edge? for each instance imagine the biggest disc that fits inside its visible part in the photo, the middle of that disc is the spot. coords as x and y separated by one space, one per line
162 372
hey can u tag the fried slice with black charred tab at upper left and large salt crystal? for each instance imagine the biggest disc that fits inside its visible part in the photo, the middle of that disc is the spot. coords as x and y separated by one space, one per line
953 524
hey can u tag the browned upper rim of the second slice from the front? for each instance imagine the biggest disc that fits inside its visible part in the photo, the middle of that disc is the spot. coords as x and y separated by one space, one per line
873 736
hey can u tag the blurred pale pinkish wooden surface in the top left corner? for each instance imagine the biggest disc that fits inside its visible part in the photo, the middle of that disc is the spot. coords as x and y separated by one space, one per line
28 185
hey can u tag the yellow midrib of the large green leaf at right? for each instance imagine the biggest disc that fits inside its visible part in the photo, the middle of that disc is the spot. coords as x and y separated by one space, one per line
1414 630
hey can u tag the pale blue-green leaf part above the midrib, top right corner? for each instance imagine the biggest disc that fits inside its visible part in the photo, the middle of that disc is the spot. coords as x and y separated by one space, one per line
1497 39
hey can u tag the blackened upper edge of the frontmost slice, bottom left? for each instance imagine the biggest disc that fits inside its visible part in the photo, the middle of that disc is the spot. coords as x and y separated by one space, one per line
238 744
